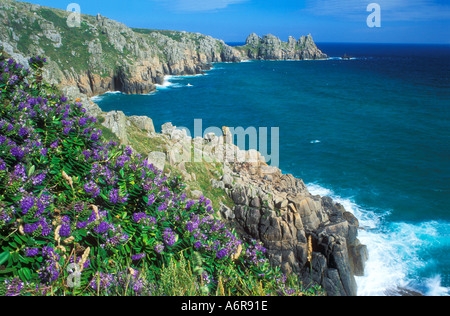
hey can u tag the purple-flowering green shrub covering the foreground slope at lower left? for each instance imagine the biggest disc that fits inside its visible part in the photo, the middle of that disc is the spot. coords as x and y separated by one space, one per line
67 197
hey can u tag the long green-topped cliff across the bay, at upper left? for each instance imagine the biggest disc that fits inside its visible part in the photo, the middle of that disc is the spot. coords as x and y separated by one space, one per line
101 54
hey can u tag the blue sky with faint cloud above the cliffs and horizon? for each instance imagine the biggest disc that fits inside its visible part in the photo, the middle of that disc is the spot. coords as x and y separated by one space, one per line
402 21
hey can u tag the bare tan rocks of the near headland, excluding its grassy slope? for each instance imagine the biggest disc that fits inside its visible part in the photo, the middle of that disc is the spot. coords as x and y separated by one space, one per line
311 236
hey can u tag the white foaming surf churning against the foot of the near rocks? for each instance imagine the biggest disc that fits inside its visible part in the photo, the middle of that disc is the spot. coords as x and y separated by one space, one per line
394 250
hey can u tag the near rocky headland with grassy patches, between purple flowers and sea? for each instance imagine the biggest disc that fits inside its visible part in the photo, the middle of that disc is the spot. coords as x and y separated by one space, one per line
309 235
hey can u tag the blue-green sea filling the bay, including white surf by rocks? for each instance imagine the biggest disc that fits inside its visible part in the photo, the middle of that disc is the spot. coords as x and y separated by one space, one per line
372 132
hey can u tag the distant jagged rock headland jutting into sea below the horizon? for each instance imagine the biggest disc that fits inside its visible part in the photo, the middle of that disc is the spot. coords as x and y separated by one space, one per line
270 47
